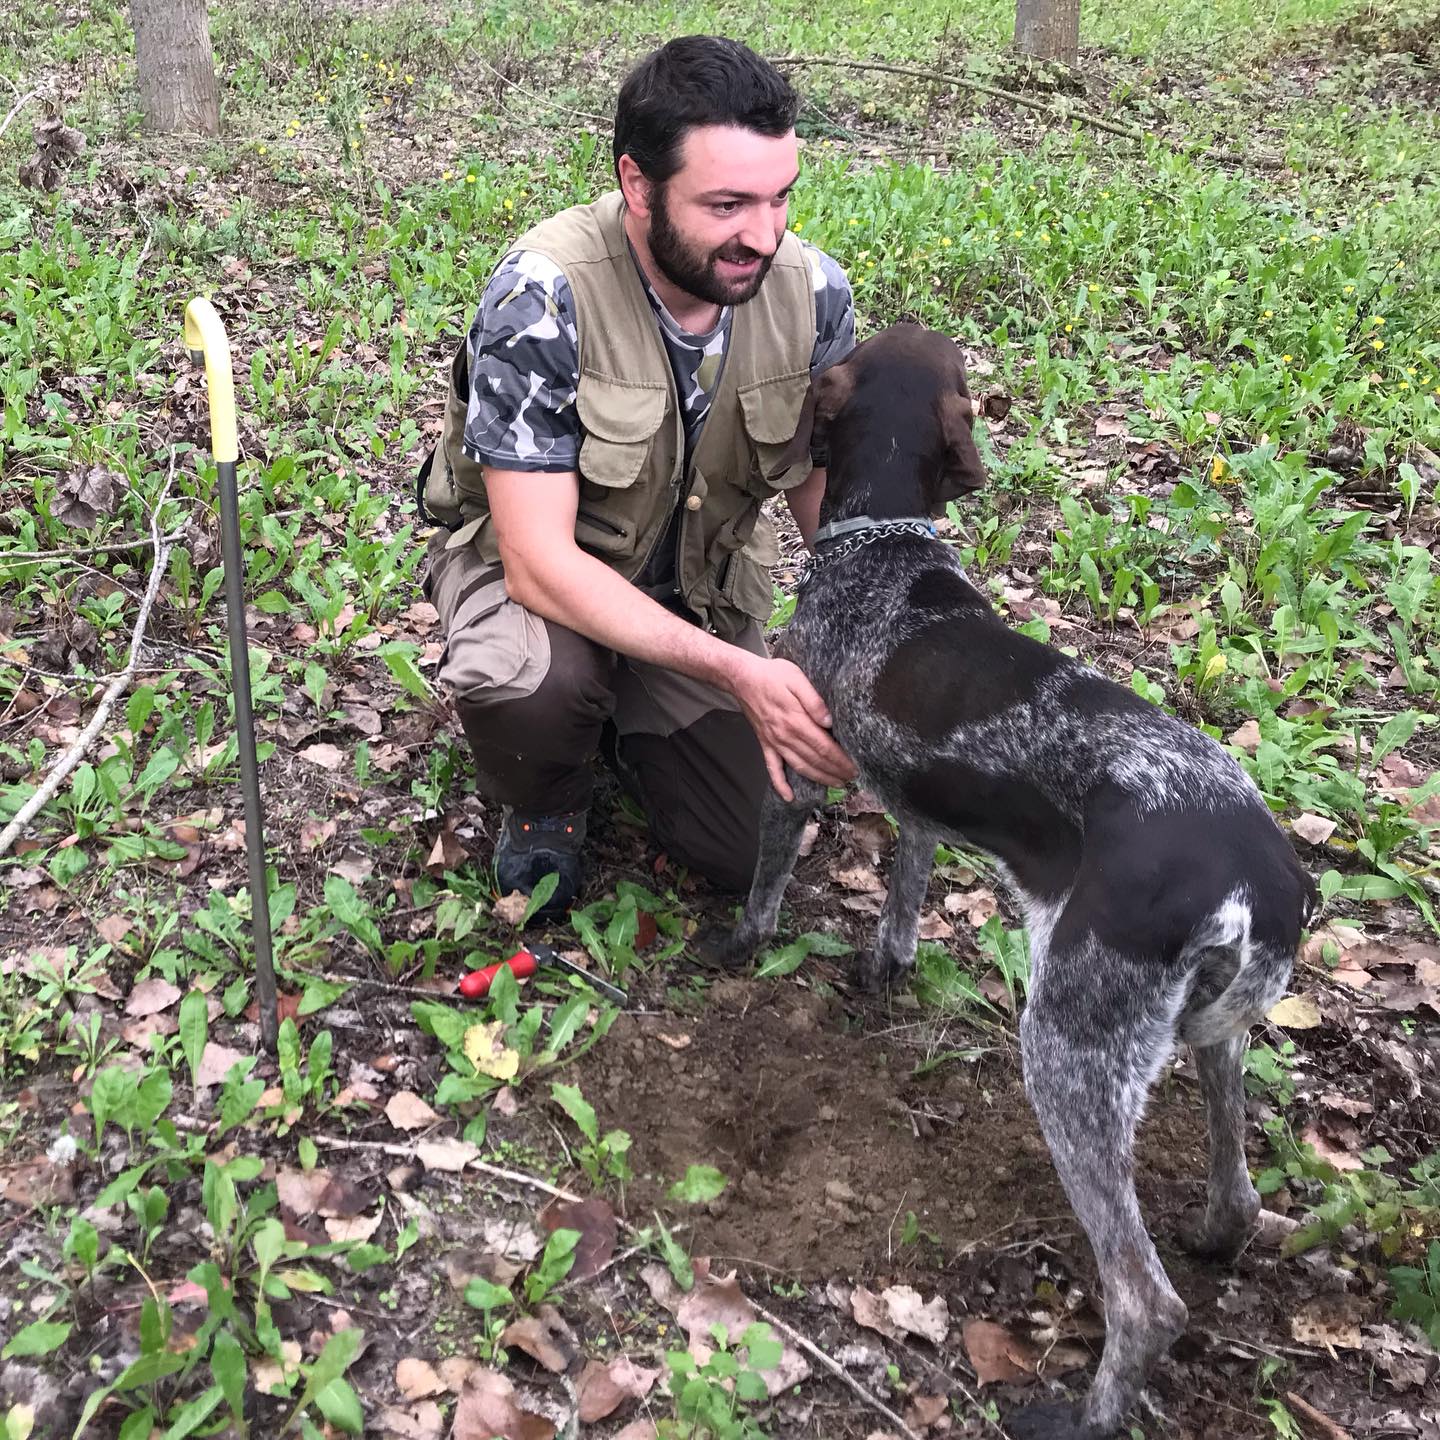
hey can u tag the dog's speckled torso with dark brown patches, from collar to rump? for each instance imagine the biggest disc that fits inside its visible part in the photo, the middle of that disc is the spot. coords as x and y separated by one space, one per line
1097 803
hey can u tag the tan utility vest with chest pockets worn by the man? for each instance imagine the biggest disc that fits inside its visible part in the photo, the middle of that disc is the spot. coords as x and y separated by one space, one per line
633 450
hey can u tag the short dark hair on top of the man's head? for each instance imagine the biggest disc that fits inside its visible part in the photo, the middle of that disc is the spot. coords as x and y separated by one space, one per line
698 80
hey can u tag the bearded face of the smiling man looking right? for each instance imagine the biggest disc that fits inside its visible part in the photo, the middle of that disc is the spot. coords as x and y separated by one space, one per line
716 224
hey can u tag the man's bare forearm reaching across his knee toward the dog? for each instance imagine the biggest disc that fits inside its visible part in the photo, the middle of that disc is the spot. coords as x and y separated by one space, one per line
588 597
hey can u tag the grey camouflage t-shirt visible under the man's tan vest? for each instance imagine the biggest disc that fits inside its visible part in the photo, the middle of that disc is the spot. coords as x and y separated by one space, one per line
525 361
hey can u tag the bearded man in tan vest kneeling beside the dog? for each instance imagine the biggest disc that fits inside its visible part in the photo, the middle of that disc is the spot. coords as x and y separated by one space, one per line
630 394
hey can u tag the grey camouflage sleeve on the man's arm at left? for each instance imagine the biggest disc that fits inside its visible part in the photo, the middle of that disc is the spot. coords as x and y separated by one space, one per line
523 369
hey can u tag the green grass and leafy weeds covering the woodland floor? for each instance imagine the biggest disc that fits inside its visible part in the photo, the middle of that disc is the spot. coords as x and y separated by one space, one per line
1219 482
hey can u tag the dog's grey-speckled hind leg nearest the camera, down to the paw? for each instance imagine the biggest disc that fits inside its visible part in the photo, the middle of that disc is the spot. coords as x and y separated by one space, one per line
1094 1040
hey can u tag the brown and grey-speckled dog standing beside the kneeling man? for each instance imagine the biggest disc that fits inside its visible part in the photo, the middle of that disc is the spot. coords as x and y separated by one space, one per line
1161 899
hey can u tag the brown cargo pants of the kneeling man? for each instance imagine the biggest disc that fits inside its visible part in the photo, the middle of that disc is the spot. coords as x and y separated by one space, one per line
539 703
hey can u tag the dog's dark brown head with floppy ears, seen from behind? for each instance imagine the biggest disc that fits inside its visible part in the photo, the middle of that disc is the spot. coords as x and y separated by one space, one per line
904 392
